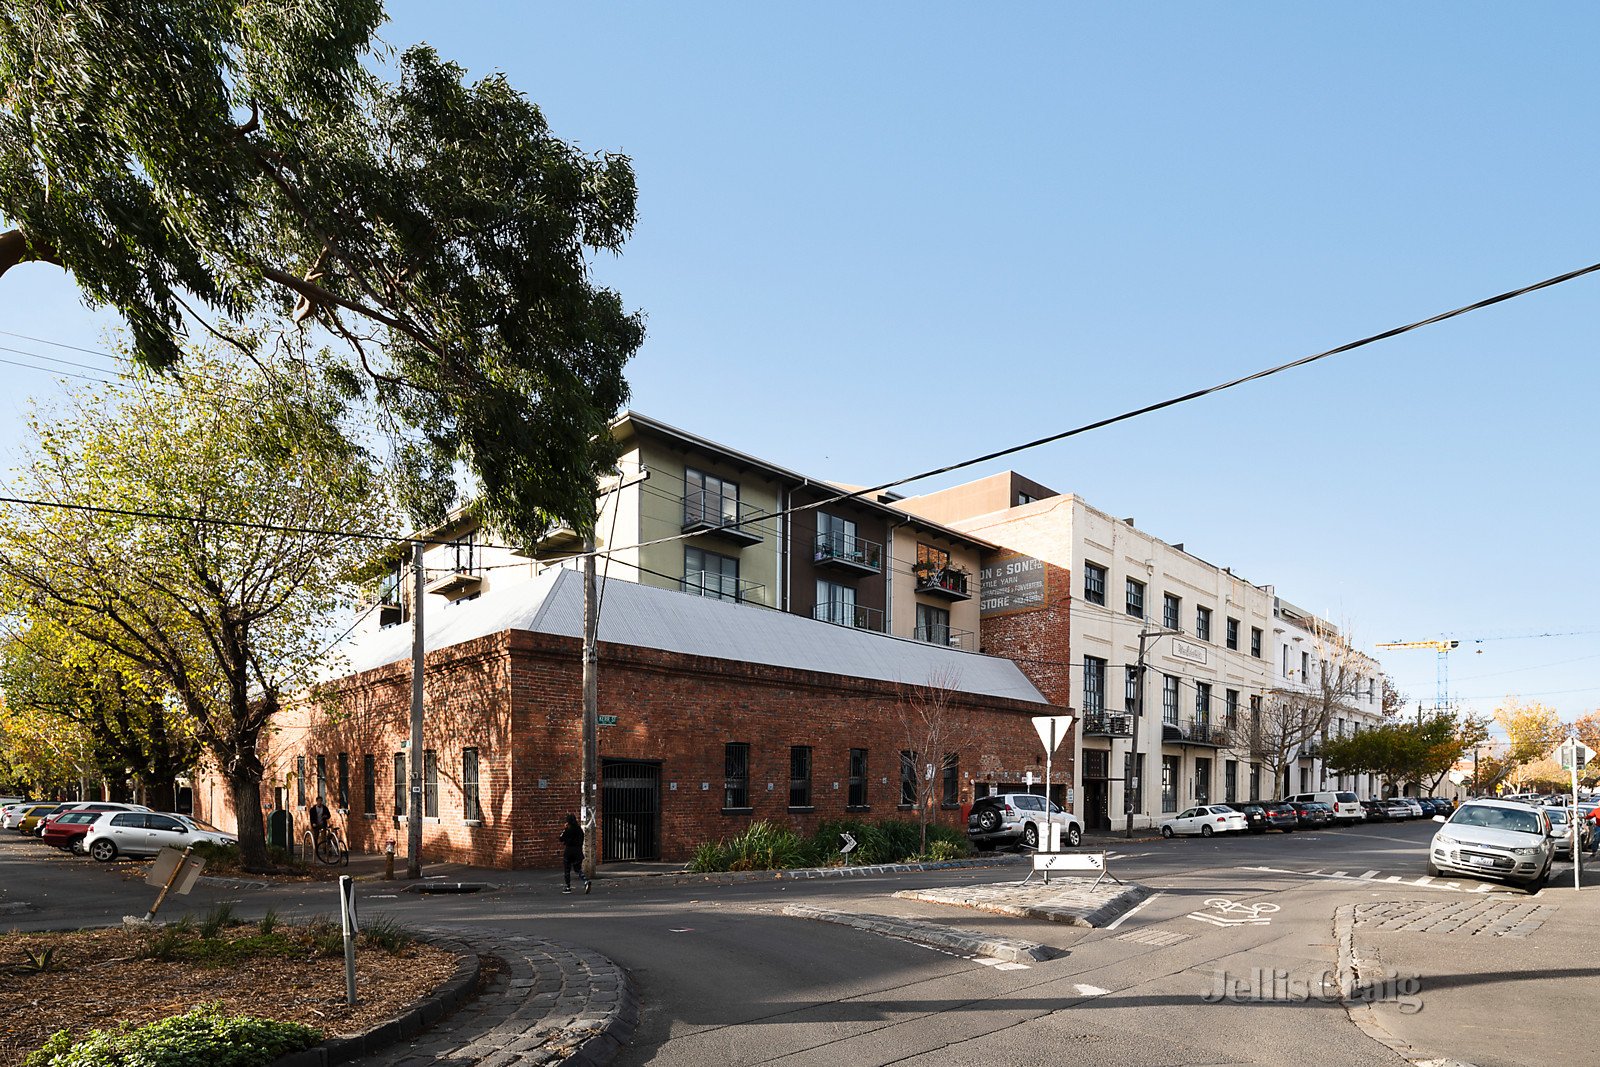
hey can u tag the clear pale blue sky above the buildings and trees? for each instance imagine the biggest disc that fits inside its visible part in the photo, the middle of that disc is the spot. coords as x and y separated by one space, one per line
882 238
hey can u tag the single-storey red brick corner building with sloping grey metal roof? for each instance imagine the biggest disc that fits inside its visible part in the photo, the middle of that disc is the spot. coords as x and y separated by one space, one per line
714 716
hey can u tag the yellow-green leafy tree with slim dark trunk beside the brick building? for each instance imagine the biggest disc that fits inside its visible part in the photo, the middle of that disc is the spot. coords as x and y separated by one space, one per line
202 538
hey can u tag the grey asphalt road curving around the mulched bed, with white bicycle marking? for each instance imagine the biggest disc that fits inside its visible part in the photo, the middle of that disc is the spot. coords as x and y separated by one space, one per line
726 978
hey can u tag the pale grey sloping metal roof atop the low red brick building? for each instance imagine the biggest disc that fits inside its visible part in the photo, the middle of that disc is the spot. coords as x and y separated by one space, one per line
697 626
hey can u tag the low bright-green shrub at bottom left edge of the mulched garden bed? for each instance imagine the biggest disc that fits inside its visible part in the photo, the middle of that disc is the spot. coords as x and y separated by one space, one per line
199 1037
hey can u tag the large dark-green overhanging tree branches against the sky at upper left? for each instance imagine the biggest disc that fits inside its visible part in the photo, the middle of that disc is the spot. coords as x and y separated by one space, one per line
194 164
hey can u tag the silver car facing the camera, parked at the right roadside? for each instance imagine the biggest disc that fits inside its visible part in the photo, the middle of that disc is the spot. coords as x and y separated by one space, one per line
1495 839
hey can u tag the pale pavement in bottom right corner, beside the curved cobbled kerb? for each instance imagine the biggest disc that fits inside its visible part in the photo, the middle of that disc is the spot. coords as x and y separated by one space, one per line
1492 981
